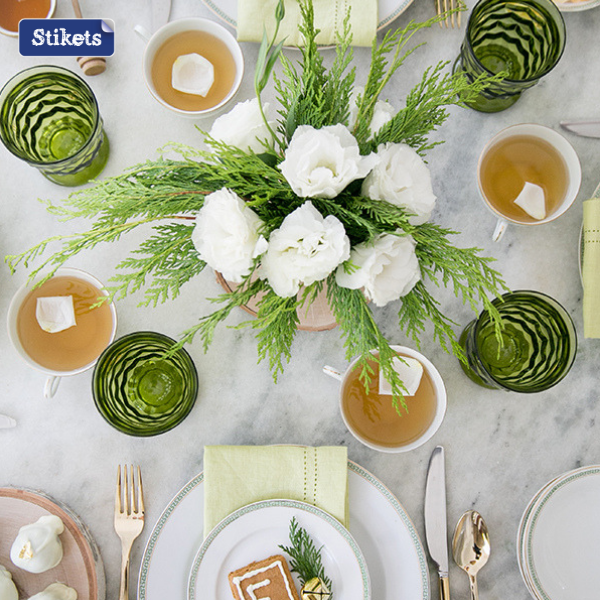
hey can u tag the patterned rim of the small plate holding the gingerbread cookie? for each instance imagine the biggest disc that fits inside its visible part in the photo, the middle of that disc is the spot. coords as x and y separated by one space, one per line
303 506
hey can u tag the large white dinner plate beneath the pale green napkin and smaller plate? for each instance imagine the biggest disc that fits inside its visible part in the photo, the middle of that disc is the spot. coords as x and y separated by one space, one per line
379 524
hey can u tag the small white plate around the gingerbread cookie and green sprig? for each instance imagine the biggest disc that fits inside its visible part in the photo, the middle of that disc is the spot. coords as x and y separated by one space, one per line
256 531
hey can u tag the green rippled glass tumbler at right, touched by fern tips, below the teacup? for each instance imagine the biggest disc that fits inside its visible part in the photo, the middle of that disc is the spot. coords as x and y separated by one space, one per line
537 349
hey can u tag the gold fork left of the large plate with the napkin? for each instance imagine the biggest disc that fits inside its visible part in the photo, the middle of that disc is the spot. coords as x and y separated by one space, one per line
129 518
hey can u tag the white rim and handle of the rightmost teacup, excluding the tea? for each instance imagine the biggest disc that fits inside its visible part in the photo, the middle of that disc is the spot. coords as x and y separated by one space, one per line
564 149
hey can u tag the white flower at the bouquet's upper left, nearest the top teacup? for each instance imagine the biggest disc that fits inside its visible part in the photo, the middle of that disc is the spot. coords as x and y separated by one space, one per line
243 127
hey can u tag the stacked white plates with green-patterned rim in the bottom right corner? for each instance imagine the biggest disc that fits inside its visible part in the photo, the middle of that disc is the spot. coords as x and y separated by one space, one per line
559 538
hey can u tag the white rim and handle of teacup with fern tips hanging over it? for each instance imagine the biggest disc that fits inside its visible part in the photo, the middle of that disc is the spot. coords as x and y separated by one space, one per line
438 411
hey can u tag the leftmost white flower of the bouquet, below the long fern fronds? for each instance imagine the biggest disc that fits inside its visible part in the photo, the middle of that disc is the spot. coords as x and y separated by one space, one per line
227 235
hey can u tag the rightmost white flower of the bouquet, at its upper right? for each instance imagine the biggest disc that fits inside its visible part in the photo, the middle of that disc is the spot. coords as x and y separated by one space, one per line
401 178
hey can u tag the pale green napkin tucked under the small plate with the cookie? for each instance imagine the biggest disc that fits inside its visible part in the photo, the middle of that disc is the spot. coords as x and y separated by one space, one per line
235 476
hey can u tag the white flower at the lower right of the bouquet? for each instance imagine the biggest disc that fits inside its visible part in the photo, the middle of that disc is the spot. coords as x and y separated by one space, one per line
387 268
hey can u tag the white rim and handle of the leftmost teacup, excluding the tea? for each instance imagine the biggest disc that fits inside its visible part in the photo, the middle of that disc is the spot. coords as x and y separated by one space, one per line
52 382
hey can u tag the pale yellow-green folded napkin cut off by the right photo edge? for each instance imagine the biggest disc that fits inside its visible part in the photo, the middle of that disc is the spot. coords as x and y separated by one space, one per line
591 267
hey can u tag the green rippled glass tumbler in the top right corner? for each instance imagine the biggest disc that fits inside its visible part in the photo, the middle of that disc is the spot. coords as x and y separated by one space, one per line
523 38
